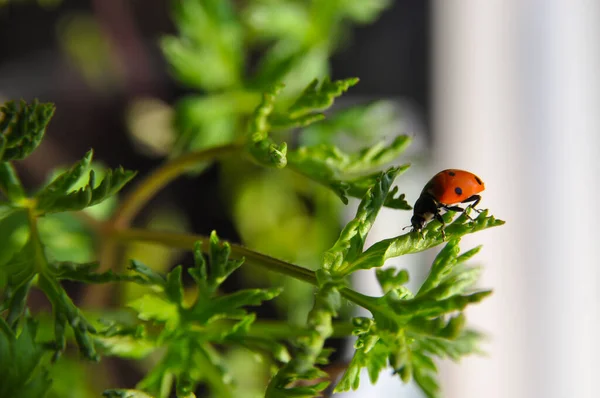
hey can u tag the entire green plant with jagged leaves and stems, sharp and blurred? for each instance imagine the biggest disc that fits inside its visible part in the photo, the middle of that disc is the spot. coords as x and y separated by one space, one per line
186 332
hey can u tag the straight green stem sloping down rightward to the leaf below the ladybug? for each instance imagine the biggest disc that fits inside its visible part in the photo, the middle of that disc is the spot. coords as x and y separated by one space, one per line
186 241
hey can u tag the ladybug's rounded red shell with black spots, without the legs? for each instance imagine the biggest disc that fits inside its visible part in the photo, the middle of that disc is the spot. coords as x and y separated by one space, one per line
453 186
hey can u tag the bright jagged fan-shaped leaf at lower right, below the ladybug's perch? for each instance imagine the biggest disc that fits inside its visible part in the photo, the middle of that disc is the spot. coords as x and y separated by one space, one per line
408 329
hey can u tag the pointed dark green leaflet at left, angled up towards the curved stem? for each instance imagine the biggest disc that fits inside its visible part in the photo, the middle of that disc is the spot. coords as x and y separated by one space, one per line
58 196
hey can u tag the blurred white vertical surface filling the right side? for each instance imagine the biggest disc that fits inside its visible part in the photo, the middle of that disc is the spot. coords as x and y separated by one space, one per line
517 101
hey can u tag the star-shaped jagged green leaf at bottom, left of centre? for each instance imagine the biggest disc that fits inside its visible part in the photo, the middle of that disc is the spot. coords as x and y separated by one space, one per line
188 331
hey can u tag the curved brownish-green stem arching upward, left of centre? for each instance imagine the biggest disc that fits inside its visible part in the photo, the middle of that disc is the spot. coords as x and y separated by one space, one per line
160 177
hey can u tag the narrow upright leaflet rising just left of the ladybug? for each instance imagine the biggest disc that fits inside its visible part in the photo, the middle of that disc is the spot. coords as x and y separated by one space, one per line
352 238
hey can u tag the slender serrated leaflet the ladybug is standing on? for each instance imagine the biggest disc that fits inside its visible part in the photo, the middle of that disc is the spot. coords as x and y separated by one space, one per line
376 255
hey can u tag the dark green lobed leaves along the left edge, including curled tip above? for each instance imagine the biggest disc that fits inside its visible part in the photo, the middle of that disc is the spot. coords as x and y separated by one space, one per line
22 130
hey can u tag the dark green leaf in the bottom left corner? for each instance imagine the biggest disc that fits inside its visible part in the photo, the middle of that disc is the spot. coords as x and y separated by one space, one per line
21 366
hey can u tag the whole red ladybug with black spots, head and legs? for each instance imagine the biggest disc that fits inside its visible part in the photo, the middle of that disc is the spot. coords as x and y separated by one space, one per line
446 188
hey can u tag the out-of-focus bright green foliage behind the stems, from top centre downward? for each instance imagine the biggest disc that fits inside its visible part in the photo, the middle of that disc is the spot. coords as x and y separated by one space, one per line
231 52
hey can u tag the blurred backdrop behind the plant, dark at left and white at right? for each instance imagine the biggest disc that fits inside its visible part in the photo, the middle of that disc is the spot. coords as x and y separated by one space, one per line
508 89
